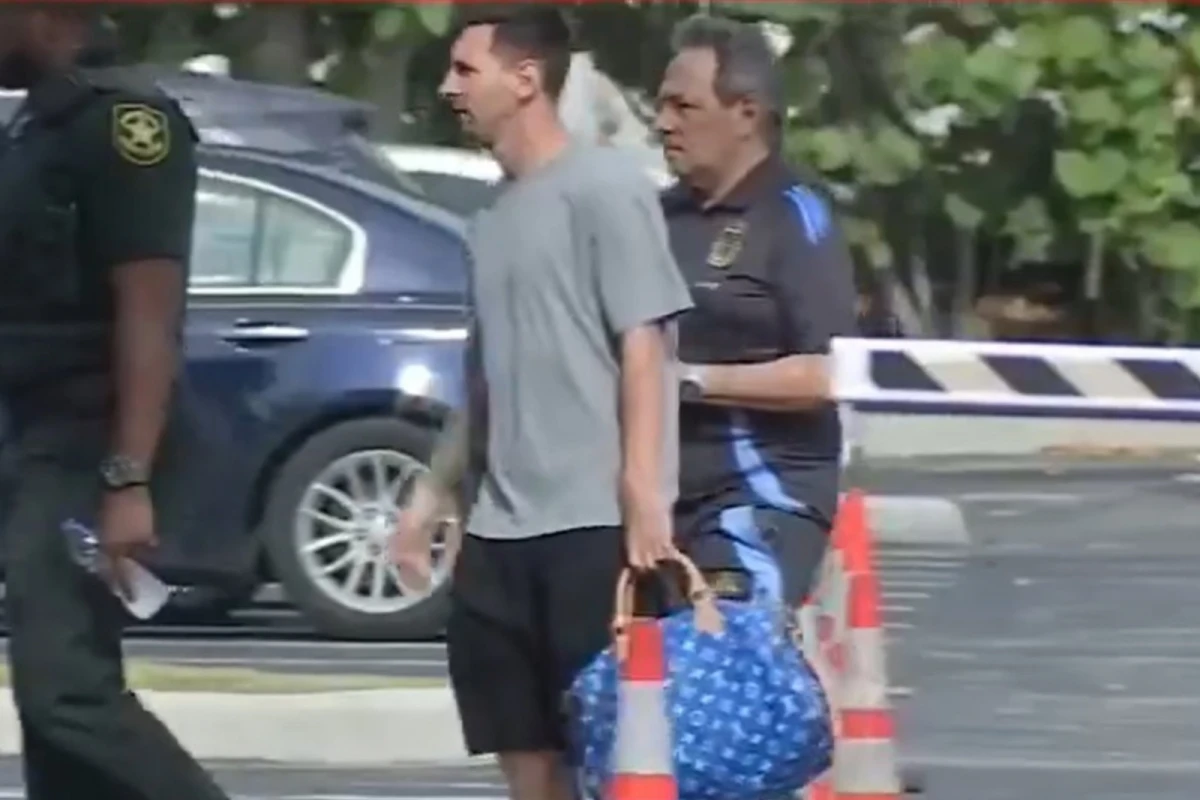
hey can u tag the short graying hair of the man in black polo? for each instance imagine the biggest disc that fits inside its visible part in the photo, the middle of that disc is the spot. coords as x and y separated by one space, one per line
746 64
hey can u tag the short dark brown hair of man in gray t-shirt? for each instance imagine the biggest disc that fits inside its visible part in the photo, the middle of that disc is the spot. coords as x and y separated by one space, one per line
527 32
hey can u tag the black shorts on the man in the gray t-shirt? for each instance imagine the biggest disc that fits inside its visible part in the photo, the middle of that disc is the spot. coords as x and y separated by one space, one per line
526 617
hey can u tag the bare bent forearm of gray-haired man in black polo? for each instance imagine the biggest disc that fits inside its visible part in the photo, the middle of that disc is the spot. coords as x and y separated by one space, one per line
795 383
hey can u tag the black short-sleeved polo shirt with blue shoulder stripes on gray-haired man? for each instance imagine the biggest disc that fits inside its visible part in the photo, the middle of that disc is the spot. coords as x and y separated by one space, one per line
771 276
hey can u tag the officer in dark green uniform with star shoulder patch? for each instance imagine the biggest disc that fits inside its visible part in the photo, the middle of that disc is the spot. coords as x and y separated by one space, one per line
98 179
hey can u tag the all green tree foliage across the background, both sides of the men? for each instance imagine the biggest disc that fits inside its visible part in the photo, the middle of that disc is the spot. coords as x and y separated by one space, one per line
961 140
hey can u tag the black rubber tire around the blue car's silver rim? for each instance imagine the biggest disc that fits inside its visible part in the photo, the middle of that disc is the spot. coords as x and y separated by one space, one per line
422 621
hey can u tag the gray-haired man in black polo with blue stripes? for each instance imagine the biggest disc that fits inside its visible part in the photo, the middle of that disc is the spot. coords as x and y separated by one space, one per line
772 281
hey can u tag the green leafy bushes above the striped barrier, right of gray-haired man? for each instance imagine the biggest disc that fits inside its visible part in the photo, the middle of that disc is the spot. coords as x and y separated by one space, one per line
970 139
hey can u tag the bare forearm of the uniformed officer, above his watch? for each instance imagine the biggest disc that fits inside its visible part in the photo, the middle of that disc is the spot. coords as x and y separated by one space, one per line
149 299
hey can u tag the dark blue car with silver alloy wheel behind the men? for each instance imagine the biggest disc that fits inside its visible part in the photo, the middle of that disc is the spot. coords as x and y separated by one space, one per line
326 327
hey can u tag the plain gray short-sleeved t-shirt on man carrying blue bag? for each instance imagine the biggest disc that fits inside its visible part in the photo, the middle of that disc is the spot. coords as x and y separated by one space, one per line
566 261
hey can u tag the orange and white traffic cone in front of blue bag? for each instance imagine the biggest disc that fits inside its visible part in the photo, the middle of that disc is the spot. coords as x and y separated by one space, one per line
643 753
